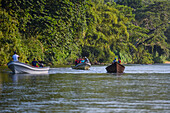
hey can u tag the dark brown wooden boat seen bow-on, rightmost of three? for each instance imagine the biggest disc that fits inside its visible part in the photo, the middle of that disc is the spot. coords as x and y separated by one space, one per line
115 68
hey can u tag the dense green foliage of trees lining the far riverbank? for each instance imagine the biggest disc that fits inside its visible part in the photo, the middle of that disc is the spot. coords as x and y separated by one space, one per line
57 32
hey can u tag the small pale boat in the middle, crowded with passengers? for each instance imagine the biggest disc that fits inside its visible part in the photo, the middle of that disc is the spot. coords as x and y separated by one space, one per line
82 66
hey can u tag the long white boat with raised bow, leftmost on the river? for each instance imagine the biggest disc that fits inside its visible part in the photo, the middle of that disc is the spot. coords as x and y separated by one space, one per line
18 67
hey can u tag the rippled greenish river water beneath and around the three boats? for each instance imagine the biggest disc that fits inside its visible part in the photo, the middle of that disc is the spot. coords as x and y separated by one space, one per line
140 89
